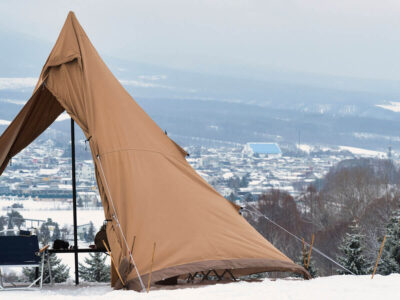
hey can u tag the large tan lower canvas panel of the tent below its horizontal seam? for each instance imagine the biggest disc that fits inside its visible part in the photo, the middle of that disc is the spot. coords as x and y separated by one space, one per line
201 230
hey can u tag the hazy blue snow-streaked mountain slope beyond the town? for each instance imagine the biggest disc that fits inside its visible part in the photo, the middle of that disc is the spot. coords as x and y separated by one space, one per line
239 107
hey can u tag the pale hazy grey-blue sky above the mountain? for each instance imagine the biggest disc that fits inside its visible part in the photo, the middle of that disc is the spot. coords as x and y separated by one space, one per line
359 38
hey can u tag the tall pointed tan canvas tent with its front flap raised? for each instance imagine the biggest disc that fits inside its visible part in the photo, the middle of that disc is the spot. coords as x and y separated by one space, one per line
149 192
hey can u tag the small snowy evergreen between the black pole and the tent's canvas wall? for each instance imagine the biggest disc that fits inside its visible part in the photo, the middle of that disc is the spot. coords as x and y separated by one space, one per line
95 269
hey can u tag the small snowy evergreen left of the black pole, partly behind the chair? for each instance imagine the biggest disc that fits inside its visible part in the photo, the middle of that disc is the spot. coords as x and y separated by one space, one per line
59 271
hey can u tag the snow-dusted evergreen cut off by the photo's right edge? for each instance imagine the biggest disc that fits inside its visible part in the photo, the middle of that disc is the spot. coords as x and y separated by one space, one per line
390 259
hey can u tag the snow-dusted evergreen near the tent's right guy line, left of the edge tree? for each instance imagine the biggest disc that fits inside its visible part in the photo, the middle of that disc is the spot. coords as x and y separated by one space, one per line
352 249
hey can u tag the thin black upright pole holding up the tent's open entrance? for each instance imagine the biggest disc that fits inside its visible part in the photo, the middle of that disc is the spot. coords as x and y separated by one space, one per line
74 200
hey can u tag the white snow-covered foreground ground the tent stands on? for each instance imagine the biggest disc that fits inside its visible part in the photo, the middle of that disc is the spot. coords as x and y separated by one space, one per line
334 287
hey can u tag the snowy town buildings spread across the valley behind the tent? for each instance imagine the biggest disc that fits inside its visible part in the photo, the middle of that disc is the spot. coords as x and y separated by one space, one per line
43 171
